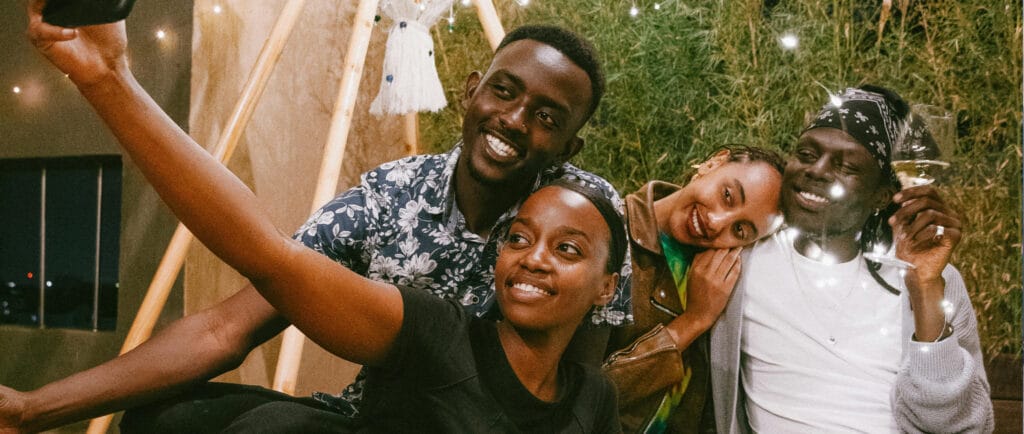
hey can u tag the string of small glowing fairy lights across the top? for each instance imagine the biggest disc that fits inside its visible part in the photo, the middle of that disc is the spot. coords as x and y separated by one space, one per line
30 91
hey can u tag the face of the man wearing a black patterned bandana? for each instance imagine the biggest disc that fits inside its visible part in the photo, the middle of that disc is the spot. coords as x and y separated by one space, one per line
832 184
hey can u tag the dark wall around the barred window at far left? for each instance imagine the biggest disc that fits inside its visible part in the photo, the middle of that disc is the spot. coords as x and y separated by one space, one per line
50 119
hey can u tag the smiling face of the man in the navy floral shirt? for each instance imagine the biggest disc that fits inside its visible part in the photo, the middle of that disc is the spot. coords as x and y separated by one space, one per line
523 116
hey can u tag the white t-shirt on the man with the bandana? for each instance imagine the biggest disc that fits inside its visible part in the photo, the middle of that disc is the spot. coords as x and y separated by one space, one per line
821 343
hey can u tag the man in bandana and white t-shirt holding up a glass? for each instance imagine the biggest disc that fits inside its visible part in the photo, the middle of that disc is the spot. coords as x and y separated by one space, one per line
818 339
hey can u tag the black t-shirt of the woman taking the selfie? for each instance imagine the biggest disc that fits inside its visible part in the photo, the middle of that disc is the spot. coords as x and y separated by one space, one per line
448 373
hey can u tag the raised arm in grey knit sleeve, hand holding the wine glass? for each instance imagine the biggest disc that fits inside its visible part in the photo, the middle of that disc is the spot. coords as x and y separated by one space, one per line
942 384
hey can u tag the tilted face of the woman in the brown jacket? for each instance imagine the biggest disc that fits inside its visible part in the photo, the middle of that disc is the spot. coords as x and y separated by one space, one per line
733 204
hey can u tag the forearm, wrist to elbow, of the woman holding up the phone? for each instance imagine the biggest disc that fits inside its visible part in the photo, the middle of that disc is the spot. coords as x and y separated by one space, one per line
215 204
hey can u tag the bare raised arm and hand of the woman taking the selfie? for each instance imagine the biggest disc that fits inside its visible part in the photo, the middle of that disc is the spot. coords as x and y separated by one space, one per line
346 314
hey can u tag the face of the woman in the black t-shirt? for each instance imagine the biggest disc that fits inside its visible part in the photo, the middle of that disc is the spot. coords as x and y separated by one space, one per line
553 267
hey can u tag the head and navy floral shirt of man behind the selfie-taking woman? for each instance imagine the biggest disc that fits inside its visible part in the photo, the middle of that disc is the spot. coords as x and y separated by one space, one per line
434 222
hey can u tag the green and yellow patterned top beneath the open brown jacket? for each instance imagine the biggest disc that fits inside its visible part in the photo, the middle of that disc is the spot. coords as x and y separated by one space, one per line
679 257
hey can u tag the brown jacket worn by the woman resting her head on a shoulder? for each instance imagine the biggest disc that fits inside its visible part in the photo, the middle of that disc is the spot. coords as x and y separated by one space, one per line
643 360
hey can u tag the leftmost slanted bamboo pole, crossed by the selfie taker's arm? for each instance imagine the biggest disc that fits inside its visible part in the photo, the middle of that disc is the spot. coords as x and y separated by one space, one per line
170 266
